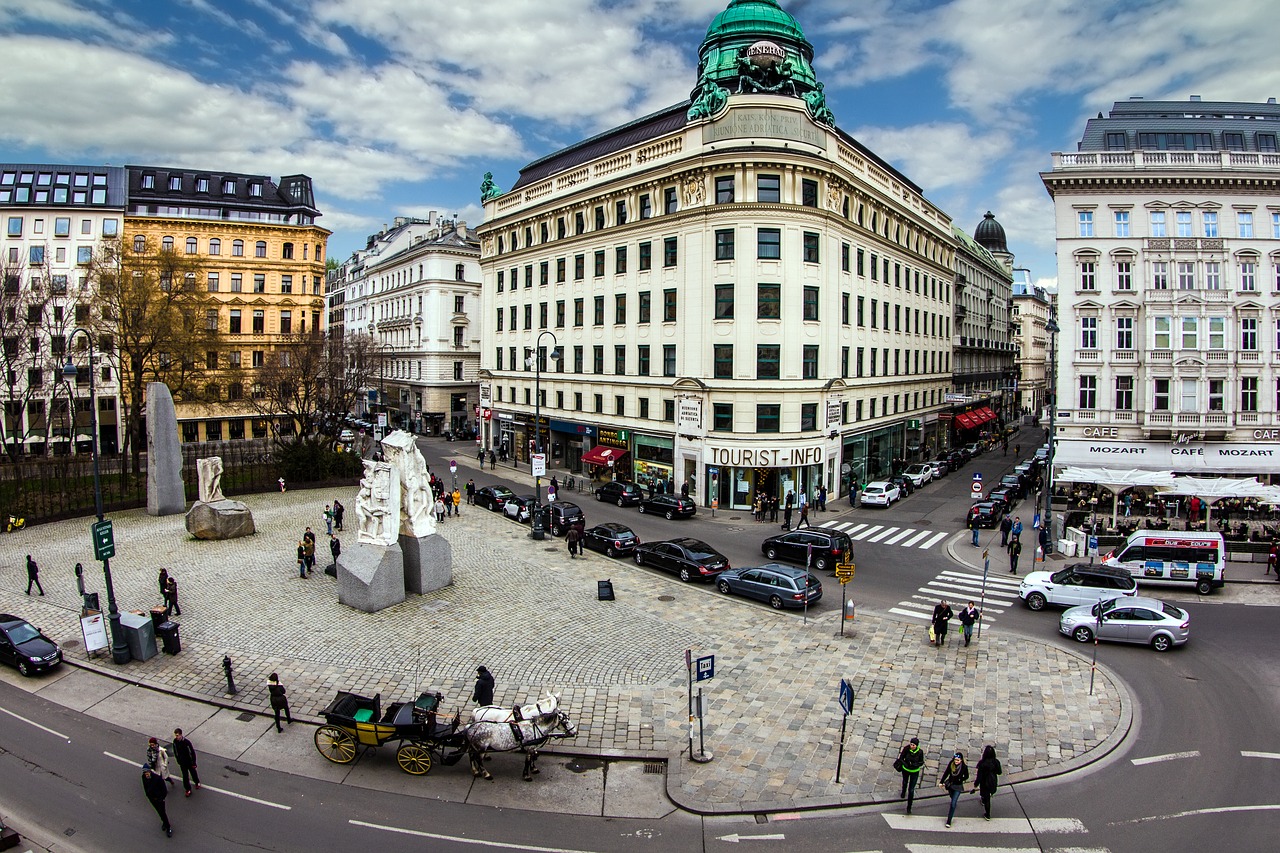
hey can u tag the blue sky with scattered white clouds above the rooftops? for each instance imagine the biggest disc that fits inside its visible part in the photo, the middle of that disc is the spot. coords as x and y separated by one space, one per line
397 108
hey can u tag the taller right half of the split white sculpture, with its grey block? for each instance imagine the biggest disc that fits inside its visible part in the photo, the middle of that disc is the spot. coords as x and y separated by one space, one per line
428 558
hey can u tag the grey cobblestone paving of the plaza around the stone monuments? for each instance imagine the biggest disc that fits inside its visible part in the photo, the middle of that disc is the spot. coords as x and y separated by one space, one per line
531 614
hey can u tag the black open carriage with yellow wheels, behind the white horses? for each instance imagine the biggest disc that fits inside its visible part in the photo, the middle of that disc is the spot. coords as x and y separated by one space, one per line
355 723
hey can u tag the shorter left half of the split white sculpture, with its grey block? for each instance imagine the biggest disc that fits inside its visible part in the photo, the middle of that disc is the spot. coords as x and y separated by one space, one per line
372 574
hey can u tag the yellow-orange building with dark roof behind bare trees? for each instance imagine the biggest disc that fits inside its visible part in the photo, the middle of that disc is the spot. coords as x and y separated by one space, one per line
264 261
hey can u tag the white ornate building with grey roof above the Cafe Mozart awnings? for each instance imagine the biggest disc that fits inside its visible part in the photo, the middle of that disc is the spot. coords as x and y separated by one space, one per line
1169 288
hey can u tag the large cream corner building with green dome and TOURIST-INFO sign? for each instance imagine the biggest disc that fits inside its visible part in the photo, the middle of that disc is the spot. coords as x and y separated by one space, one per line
732 295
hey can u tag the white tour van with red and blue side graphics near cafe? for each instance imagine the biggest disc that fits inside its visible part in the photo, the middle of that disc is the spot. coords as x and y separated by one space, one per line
1173 559
